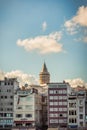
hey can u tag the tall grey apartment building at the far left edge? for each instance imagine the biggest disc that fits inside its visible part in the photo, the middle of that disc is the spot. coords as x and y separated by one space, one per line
8 87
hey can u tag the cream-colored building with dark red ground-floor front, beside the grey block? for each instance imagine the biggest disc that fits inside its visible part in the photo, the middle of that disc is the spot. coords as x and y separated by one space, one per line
27 108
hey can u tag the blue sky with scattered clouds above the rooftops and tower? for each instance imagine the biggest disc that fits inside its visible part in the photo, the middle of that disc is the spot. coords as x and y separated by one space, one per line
34 31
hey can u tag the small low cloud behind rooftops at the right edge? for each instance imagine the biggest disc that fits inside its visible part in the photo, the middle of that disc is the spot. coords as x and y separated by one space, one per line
76 82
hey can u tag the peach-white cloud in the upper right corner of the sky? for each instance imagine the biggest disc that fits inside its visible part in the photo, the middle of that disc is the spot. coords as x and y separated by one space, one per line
80 19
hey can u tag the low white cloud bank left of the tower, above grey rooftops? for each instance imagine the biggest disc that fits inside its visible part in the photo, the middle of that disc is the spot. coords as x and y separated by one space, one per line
23 78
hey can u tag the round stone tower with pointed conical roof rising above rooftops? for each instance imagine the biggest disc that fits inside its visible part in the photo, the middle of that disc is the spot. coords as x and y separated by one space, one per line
44 76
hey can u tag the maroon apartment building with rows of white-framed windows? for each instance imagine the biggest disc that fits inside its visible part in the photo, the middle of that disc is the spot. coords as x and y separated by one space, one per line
58 105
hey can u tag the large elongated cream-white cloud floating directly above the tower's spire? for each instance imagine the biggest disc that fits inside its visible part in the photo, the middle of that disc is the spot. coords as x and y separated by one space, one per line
43 44
